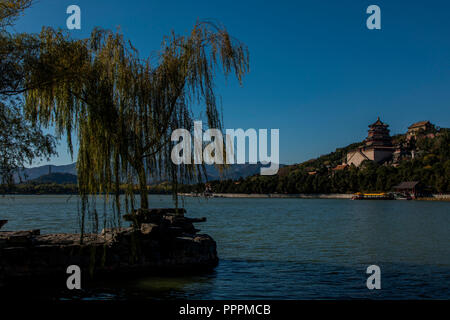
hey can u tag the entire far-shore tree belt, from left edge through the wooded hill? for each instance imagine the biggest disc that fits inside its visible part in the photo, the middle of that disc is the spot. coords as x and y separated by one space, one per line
430 166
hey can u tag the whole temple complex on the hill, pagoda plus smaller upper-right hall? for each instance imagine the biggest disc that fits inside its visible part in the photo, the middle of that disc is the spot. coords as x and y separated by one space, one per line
378 145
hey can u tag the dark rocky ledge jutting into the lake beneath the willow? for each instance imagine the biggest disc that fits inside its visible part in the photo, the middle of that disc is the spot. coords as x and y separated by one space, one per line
168 243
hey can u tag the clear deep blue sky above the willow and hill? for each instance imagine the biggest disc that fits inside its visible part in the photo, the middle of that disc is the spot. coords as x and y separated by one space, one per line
317 73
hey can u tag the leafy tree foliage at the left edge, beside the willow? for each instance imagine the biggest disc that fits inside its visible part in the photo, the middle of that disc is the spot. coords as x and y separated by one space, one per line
20 141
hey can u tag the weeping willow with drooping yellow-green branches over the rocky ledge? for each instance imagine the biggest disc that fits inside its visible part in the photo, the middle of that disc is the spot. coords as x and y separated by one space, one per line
123 108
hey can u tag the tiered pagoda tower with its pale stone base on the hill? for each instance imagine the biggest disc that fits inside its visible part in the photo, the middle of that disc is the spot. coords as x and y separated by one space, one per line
377 146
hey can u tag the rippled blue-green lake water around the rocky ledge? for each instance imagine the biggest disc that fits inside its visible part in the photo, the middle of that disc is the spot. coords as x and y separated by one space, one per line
285 248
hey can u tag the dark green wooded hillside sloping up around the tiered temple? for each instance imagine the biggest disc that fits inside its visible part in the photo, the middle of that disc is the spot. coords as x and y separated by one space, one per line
431 166
